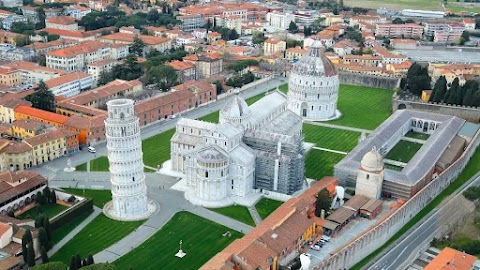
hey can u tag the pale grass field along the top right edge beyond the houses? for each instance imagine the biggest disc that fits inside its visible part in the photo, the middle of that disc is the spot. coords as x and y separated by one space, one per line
412 4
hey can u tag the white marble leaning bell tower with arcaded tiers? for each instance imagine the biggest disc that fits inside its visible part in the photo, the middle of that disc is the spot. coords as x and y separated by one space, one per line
129 191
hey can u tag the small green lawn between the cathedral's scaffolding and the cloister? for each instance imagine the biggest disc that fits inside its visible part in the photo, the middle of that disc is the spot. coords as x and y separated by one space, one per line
320 163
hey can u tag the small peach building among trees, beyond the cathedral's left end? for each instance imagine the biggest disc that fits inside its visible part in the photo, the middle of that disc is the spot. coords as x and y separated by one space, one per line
206 64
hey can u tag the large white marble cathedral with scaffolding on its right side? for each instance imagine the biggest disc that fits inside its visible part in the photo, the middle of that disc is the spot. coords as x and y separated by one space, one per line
257 148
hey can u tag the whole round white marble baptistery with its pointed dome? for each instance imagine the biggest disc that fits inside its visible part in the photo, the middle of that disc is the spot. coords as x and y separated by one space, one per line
313 86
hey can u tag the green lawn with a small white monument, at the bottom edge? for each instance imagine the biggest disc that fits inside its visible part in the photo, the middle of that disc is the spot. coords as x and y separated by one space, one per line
201 238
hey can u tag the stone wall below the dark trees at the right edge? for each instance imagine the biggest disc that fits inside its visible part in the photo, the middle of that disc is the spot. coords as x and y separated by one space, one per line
471 114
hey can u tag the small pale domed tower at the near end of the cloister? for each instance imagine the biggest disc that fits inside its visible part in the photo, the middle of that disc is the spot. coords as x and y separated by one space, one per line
370 175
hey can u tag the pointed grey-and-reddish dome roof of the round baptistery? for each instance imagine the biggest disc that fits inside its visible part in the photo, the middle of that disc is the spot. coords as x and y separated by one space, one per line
315 63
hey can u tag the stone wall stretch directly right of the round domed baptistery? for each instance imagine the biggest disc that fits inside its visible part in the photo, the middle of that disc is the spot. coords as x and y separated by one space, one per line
368 80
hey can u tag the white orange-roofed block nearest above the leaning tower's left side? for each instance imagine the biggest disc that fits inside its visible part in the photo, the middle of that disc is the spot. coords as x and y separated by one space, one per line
70 84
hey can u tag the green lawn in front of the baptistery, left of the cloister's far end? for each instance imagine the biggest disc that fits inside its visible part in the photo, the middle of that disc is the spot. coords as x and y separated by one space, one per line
331 138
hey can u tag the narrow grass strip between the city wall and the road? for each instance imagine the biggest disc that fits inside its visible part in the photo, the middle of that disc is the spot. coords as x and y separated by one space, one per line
470 170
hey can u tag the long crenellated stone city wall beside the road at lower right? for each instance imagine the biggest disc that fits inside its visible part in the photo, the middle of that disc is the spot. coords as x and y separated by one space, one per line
360 247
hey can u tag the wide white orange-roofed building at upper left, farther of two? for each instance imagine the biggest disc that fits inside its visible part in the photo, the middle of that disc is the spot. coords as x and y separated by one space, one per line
77 57
